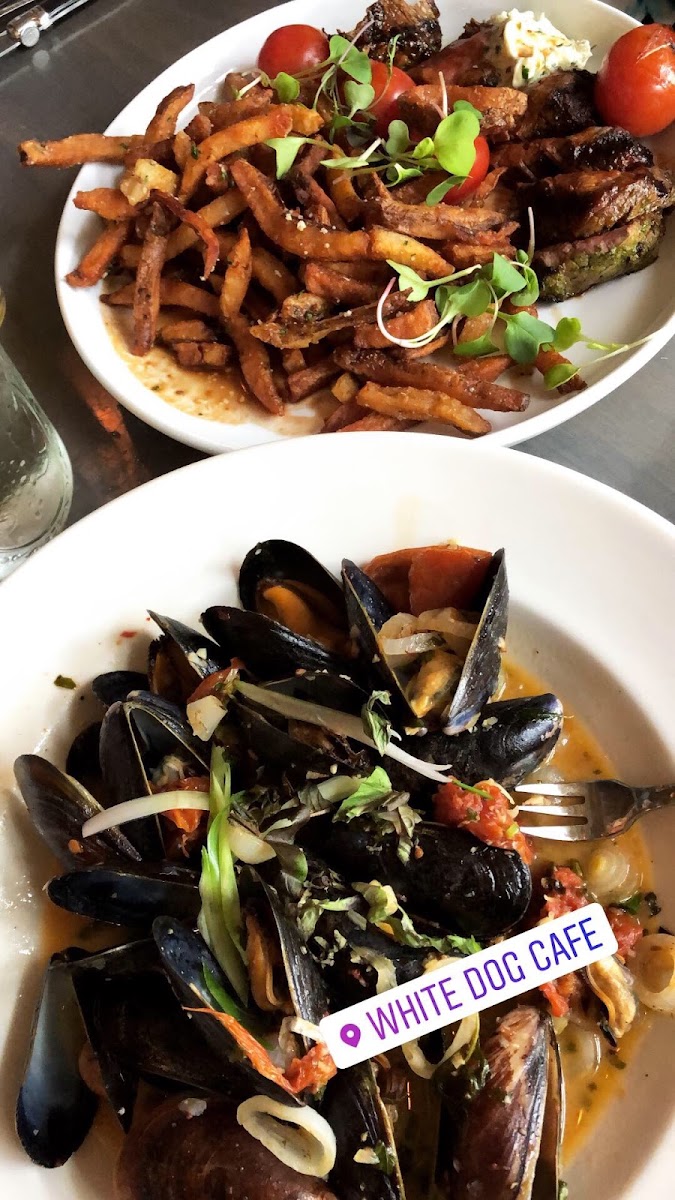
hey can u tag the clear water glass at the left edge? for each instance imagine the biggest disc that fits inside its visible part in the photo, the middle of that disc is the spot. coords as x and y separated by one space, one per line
35 471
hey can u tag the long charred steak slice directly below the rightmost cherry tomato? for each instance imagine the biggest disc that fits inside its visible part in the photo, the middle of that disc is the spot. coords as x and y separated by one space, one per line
595 149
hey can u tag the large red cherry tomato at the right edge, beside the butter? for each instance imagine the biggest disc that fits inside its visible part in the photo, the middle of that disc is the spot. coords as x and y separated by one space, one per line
636 85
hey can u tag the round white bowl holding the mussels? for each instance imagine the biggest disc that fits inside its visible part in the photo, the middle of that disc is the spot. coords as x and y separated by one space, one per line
593 579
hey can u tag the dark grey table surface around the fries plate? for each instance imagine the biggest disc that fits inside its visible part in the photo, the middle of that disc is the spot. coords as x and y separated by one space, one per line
80 76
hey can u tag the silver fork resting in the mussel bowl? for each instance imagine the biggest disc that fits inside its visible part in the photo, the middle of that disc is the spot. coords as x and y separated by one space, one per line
601 808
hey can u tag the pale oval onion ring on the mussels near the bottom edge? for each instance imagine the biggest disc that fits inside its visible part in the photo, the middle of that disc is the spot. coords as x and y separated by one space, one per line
298 1136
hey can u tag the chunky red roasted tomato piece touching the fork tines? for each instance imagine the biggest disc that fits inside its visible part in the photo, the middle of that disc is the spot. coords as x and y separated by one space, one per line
489 818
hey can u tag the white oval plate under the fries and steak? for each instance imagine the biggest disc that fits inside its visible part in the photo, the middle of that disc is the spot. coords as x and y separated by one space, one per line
623 311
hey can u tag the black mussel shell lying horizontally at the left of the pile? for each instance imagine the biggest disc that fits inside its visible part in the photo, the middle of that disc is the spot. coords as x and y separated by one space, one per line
128 898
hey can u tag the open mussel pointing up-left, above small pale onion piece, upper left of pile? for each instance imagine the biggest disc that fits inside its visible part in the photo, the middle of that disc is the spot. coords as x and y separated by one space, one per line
180 659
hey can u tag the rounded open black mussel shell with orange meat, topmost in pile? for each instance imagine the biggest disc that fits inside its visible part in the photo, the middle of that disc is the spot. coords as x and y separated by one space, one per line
284 581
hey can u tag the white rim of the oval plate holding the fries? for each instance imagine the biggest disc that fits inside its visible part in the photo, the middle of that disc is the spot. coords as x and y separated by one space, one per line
214 437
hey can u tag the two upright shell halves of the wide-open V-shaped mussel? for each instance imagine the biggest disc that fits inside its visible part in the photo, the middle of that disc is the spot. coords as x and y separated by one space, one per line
369 611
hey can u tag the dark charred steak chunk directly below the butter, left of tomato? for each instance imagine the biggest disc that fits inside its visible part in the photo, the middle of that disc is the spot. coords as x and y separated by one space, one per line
558 105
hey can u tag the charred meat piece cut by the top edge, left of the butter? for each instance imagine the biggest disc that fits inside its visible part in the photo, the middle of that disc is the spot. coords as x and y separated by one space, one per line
416 26
